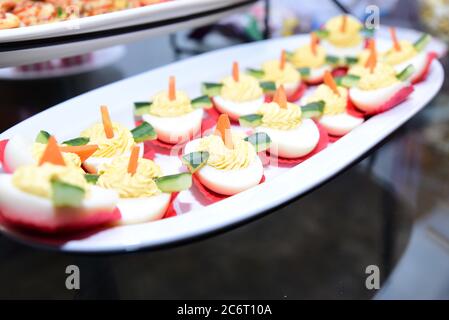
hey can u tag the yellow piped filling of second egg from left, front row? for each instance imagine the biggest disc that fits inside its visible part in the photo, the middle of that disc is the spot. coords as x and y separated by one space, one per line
139 185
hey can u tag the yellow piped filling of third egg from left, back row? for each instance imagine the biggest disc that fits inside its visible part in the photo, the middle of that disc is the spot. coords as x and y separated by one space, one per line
162 106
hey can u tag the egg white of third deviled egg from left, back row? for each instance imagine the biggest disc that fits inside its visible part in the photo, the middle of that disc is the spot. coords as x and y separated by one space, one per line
176 129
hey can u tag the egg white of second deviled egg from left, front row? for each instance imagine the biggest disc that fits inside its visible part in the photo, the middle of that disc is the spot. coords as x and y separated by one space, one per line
139 210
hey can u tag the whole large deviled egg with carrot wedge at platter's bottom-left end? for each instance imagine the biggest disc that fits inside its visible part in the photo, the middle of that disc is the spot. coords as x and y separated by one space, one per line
53 197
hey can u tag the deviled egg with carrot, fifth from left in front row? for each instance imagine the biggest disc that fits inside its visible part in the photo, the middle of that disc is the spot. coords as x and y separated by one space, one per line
336 118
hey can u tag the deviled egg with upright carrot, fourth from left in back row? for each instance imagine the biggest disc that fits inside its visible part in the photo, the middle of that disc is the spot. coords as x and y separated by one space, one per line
238 94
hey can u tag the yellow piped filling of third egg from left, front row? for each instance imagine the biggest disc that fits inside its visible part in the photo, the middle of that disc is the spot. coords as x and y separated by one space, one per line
221 157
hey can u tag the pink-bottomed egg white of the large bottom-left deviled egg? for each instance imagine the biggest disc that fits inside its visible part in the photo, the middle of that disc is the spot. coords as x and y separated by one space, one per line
18 205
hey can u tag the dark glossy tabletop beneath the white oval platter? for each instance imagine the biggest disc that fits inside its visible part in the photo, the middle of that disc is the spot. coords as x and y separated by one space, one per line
316 247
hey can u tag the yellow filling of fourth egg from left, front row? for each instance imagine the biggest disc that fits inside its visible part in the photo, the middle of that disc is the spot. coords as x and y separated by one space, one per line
280 118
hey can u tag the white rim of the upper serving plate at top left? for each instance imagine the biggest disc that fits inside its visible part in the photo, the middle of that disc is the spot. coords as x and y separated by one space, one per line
67 38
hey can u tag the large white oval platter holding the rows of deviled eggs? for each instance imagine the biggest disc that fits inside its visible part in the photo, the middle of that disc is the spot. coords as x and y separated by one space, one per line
194 219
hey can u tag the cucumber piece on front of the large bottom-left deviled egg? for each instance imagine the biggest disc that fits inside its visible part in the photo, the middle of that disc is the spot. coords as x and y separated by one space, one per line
66 195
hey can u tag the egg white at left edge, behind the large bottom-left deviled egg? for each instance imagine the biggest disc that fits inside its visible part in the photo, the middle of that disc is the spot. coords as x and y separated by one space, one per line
18 152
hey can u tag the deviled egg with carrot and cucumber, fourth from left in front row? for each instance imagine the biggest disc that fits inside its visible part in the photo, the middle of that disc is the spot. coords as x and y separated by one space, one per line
291 135
